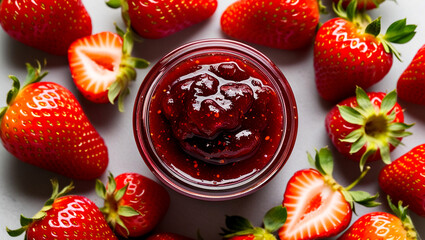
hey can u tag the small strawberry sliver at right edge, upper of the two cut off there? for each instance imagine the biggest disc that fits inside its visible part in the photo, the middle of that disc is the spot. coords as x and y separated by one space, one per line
411 84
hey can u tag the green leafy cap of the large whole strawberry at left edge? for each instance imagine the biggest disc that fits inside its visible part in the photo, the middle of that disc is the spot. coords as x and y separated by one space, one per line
34 75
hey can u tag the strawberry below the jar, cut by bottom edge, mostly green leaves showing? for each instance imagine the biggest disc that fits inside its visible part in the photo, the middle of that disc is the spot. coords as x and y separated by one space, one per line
240 228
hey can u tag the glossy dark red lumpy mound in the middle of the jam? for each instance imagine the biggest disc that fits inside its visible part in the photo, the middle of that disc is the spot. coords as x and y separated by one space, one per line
218 111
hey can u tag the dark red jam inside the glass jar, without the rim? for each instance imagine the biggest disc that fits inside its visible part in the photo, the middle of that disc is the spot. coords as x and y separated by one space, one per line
215 119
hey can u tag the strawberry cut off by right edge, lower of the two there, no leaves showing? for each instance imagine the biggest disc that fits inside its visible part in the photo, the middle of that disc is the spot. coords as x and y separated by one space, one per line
404 179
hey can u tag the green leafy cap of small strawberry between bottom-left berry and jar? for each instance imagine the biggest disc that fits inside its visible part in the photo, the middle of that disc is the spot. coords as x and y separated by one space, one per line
113 210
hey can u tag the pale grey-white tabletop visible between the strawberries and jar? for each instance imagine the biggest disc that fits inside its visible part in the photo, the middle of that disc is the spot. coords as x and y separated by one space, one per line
24 188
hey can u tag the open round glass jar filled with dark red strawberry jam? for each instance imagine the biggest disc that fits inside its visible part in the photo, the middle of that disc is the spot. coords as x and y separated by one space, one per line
215 119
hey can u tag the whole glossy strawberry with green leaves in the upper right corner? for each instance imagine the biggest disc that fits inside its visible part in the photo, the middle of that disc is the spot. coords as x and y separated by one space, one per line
348 54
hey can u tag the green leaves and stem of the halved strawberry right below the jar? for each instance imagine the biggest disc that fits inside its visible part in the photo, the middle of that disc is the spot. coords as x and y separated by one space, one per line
324 163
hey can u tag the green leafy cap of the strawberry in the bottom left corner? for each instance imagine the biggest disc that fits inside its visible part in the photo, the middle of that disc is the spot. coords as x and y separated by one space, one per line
26 222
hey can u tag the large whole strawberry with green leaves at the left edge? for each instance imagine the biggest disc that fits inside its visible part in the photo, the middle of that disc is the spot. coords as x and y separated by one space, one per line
44 125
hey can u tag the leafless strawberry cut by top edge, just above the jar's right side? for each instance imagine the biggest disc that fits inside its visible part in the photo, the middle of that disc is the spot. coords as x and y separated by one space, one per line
278 24
